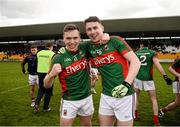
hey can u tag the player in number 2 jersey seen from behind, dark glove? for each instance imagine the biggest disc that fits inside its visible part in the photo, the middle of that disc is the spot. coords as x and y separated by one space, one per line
144 79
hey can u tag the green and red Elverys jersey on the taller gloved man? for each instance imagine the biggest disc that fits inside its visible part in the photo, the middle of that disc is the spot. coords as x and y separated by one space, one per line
108 59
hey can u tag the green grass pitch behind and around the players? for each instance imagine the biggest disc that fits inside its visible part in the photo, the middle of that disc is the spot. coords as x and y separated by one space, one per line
15 102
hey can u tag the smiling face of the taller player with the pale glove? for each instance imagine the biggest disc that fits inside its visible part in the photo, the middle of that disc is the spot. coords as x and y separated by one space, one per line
94 30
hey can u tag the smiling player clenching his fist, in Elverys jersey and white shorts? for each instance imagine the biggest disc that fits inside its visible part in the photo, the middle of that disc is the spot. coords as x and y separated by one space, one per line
71 66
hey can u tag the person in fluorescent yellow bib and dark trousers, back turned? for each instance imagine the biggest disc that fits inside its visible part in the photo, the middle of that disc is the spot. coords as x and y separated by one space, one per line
43 64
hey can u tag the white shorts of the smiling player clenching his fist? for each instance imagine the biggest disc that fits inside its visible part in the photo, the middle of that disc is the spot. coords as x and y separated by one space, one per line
70 109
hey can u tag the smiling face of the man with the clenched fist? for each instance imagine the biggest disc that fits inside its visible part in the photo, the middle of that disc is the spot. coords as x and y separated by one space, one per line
72 40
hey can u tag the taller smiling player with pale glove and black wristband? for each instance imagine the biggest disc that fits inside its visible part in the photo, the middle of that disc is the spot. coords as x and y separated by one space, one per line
118 66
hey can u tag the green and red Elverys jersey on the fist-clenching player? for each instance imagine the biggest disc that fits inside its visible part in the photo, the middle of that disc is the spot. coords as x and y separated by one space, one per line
74 78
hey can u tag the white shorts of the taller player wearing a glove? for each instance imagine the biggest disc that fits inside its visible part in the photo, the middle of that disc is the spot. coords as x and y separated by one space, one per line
122 108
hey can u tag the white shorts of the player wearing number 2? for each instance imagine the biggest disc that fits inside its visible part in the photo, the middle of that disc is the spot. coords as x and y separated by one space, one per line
144 85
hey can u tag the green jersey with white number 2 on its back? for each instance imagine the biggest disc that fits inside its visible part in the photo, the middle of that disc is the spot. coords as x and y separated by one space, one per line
145 55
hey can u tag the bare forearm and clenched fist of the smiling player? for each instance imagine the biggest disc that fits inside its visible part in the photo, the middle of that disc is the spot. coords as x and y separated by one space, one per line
49 78
